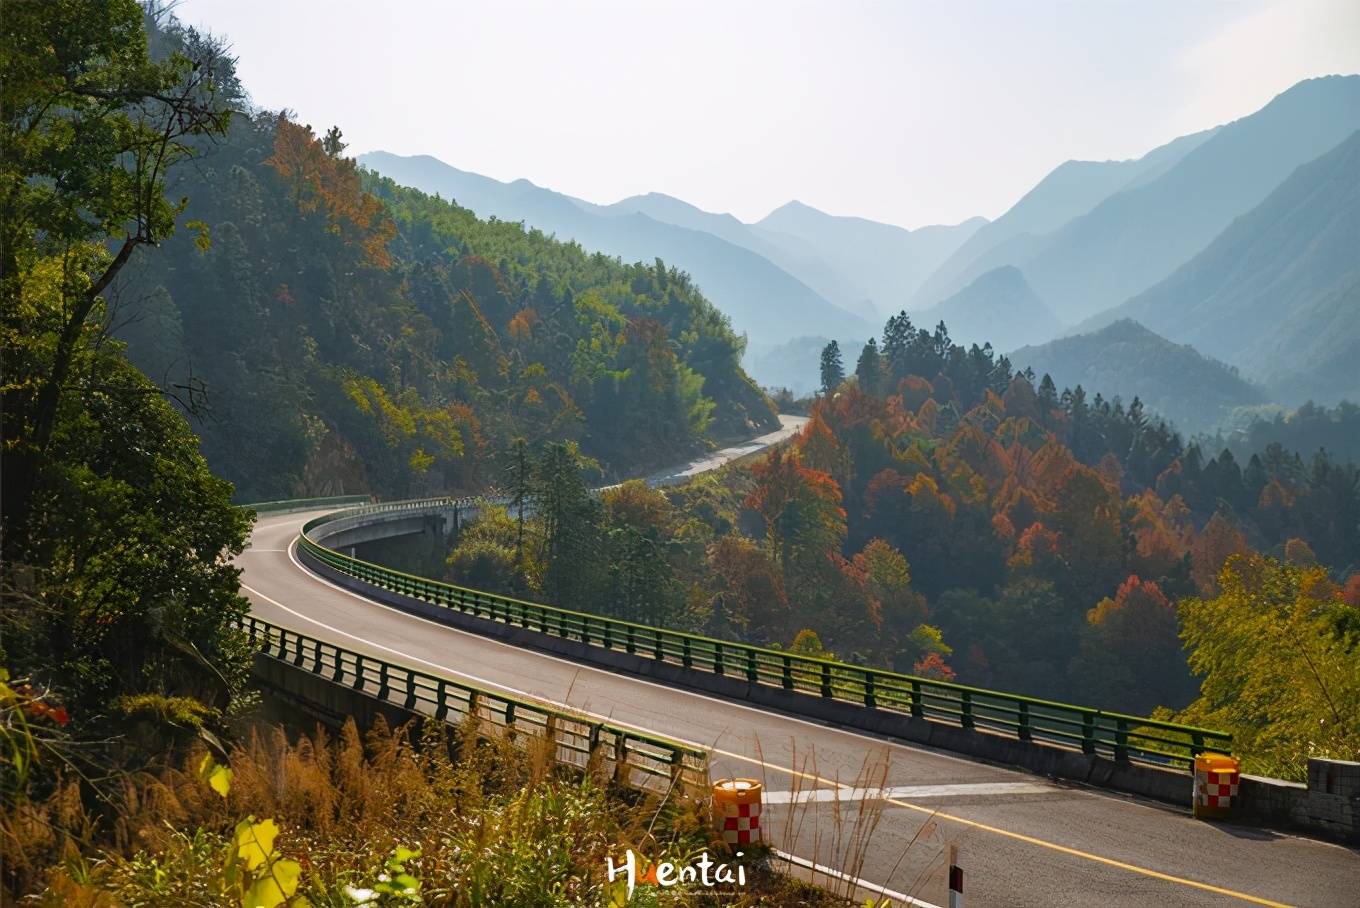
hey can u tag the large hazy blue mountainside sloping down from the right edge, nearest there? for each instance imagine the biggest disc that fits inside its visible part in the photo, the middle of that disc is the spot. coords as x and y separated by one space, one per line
1278 294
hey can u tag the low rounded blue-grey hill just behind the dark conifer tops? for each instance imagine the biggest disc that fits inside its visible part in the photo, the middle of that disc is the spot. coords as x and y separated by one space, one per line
1127 360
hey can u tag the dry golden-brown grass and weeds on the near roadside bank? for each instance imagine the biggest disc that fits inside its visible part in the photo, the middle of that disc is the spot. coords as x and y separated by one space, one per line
352 820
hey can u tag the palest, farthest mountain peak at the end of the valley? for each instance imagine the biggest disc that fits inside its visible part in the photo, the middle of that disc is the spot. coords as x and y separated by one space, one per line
886 264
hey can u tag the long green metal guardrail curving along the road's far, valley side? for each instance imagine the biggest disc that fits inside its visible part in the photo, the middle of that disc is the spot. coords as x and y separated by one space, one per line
1095 732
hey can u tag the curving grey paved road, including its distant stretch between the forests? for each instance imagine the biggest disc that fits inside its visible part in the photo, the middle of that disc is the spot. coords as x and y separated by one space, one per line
1023 839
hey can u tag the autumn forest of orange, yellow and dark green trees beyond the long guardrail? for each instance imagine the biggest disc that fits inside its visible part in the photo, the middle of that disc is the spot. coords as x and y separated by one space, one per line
946 516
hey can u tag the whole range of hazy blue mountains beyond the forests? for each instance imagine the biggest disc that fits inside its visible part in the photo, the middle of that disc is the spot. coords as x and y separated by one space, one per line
1238 240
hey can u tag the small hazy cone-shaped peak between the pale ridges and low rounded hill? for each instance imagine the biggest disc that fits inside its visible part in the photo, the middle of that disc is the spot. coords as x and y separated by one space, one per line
999 308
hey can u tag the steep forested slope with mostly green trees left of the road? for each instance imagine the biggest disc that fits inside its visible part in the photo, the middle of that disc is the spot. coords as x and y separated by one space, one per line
356 335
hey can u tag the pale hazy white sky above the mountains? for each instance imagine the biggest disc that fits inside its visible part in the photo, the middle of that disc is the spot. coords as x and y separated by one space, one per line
912 113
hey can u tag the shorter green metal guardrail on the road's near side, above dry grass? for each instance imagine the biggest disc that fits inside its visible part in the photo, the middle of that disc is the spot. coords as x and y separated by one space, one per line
632 759
